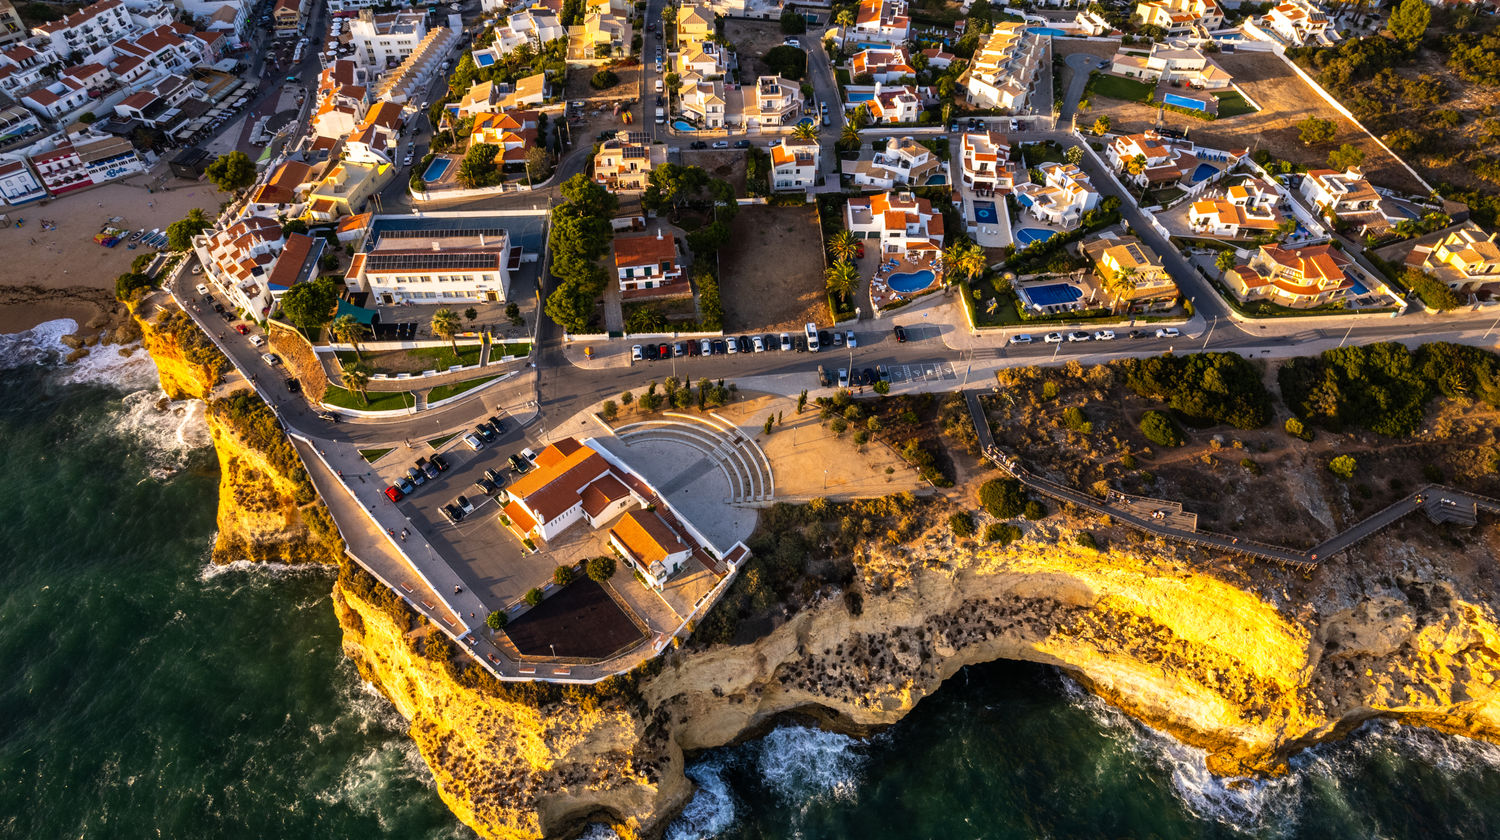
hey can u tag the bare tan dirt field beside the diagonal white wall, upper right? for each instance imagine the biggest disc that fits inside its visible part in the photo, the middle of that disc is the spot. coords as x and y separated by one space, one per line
1285 101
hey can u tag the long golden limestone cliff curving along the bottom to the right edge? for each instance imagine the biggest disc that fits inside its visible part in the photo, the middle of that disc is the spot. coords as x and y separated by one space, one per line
1249 664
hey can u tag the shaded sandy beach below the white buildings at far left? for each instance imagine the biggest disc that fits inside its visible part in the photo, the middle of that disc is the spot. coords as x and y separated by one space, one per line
58 274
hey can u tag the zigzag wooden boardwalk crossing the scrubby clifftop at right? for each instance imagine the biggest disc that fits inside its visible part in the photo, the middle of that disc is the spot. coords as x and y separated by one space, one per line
1168 520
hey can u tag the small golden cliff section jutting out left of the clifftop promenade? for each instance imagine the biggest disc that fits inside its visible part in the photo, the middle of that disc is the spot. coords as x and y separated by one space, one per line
268 508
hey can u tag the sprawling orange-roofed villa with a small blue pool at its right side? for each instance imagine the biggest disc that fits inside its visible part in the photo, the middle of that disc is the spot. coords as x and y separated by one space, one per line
1298 278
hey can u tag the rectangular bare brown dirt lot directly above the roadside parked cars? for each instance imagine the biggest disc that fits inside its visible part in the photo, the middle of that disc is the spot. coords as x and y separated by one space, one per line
772 272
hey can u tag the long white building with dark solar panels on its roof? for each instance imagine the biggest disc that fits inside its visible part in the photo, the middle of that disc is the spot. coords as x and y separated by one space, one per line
455 265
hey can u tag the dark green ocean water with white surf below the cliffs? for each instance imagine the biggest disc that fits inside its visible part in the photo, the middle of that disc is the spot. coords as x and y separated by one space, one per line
149 694
